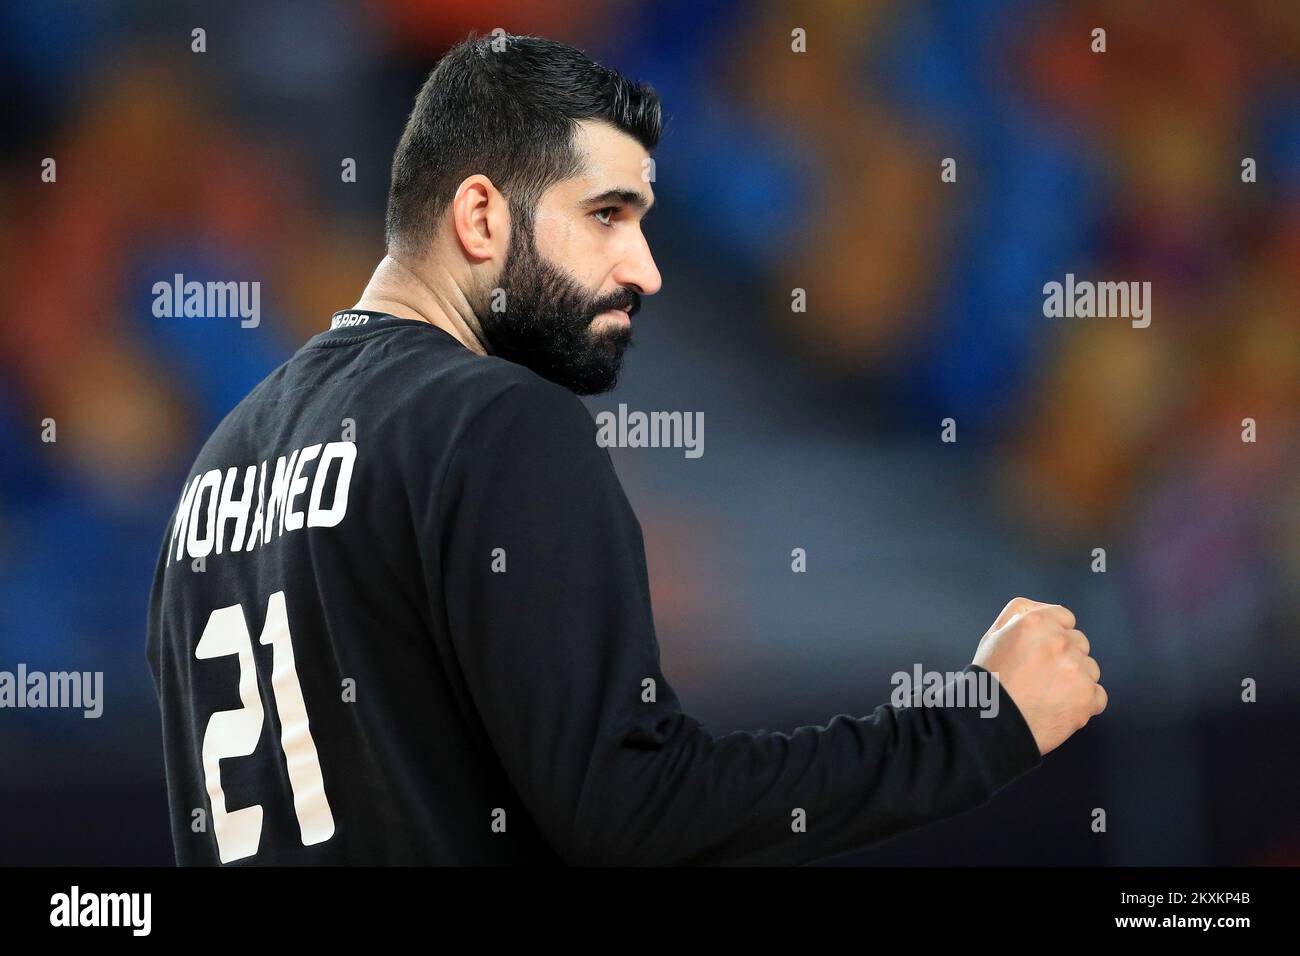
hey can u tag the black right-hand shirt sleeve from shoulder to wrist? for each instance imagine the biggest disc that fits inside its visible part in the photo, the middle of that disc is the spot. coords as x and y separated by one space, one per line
558 647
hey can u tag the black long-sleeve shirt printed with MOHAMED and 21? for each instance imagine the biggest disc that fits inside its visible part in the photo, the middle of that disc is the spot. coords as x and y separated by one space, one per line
410 582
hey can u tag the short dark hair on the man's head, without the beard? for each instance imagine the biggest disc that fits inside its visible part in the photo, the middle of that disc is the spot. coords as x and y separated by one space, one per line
508 107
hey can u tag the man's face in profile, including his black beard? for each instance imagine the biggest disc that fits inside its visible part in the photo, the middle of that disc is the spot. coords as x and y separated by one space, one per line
575 278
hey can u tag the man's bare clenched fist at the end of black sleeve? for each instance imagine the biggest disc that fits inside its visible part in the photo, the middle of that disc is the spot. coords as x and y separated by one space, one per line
1042 660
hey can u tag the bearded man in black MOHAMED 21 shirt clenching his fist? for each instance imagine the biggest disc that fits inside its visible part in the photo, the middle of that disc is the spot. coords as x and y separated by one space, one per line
402 615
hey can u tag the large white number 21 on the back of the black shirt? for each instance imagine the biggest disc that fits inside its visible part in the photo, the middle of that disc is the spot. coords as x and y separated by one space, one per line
236 733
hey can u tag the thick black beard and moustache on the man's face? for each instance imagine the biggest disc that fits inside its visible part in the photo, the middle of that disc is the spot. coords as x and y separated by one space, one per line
547 325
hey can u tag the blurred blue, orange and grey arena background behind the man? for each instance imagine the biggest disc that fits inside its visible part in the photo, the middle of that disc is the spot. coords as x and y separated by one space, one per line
818 171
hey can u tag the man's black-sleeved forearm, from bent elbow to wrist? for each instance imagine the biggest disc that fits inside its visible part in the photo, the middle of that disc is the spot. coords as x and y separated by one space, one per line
668 793
